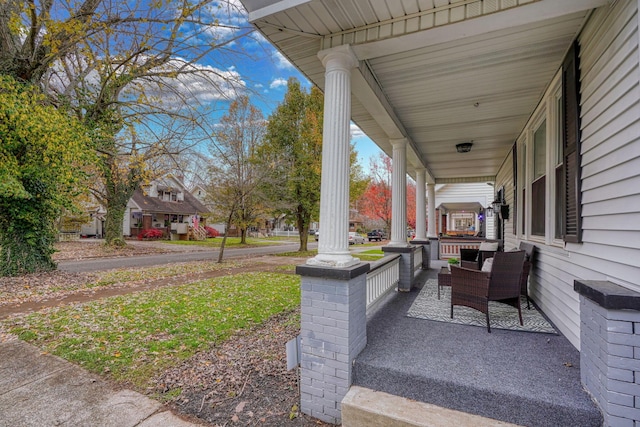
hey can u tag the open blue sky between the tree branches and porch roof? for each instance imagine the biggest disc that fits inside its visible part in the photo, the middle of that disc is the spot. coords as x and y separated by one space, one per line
264 72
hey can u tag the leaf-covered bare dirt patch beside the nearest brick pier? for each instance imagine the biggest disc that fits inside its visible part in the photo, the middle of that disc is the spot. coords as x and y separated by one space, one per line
242 382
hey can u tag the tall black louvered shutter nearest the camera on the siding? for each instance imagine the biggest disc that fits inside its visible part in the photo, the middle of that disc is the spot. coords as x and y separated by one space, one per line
571 145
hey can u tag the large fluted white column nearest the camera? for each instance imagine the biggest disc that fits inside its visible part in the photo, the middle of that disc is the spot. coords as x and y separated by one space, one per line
333 244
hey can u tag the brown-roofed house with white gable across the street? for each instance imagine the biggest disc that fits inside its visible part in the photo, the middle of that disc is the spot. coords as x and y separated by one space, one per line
165 203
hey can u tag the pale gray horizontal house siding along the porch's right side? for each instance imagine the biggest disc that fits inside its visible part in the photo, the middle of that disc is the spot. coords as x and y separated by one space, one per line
610 150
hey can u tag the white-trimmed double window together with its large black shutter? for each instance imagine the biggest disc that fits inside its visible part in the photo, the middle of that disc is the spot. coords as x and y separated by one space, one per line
549 182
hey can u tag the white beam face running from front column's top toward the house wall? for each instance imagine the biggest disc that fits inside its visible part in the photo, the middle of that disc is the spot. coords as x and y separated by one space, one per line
522 15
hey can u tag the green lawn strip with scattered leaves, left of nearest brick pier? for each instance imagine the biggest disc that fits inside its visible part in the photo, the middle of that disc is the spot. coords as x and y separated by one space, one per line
133 337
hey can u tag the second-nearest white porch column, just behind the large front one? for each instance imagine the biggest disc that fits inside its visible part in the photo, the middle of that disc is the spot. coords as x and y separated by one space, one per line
399 193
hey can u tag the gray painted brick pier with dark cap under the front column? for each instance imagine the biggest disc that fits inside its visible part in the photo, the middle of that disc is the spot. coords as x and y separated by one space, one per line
333 331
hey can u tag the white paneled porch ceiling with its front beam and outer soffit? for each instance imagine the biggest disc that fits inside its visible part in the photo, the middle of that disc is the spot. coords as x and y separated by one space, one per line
438 72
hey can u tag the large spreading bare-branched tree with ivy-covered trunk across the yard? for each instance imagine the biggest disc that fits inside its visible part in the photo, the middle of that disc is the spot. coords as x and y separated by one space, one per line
130 71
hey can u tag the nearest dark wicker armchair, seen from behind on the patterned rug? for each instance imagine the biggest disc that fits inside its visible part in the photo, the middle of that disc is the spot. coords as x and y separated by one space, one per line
474 289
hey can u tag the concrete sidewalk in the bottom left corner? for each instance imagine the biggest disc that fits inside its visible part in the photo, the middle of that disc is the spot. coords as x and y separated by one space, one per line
42 390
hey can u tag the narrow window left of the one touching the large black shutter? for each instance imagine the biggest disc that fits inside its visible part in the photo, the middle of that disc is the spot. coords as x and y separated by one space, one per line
538 185
